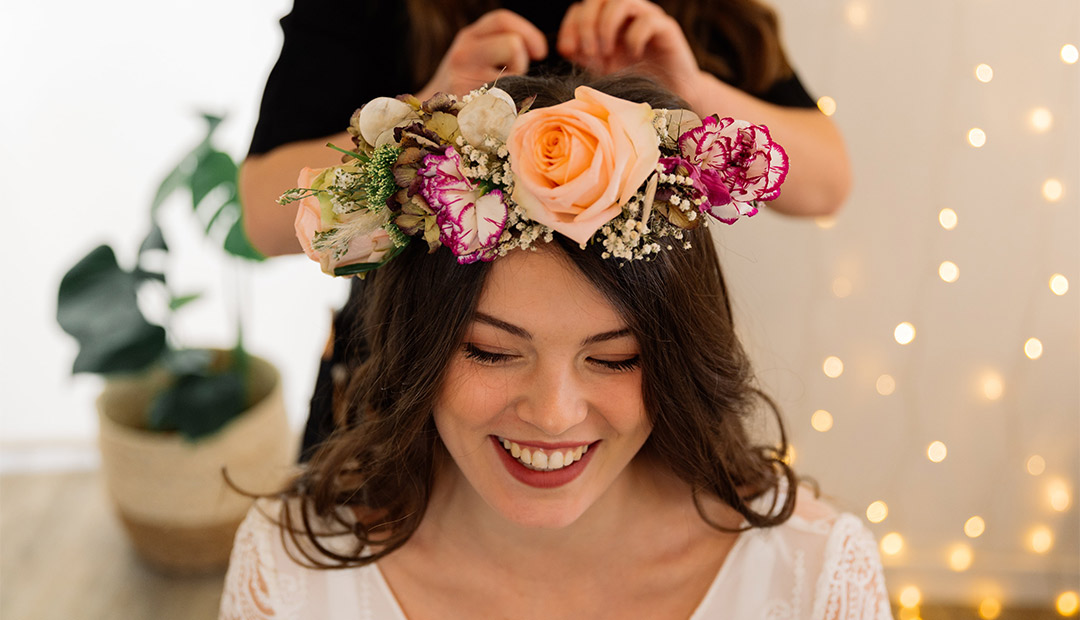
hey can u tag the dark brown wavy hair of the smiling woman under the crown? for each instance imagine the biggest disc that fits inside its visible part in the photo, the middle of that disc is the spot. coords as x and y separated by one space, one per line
697 382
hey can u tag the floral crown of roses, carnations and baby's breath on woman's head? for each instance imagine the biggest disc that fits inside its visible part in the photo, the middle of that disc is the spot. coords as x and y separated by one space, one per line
482 178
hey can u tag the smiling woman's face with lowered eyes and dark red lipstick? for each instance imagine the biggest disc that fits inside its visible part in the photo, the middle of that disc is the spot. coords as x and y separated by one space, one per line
543 410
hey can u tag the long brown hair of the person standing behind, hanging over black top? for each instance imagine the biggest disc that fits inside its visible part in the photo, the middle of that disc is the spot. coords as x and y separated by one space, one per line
752 57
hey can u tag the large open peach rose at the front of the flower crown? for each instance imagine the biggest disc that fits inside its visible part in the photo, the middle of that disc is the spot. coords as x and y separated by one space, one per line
577 164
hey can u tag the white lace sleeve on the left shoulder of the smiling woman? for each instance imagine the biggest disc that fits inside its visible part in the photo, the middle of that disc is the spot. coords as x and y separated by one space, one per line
254 590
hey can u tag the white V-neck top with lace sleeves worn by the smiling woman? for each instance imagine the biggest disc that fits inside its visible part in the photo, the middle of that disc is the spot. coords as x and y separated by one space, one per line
819 565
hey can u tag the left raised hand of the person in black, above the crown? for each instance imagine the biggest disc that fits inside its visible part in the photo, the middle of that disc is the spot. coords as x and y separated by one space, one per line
499 44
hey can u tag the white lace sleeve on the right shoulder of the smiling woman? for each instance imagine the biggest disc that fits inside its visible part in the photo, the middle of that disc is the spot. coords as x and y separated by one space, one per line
852 586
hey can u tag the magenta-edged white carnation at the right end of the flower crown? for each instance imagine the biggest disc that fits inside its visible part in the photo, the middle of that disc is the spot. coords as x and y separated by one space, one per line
742 155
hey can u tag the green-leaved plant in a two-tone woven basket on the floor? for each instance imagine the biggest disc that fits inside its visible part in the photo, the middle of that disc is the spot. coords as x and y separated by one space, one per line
173 420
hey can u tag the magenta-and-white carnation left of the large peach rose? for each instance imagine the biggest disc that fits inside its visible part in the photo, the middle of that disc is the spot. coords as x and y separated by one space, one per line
471 223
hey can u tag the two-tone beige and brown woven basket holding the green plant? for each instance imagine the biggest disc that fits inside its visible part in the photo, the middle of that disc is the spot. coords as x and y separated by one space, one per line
170 493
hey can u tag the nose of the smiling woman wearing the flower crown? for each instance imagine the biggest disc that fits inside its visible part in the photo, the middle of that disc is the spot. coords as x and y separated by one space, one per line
555 400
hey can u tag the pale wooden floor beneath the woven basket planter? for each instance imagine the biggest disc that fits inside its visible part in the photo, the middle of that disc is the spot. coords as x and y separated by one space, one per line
64 557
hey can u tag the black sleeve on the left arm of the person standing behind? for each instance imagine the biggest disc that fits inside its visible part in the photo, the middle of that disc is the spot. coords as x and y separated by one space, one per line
335 57
